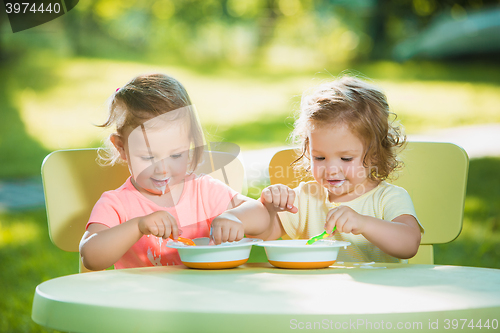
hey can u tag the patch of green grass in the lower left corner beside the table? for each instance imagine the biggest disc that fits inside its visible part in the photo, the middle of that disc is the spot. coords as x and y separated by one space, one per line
28 258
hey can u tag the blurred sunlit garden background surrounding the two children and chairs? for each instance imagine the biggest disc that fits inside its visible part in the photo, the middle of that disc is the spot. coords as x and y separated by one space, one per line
245 64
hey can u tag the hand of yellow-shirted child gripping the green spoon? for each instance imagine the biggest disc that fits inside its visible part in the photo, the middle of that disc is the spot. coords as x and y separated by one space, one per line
346 220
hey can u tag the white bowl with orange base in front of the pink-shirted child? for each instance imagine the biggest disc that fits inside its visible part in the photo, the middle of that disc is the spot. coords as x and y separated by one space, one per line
204 256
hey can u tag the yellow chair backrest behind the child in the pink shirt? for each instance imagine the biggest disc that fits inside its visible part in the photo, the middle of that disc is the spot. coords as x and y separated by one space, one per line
73 182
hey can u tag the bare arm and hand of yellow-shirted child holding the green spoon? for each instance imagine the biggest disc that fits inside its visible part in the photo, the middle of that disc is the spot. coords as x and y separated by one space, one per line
399 238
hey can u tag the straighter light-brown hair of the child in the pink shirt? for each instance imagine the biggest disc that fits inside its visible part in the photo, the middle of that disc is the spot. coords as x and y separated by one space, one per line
143 98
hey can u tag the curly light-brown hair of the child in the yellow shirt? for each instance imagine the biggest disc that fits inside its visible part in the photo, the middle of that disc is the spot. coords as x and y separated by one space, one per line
364 109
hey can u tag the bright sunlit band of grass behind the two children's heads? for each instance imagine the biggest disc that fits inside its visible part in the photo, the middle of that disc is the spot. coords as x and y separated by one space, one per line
51 102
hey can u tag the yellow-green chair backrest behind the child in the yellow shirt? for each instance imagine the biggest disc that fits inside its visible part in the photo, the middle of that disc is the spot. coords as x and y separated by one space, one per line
435 176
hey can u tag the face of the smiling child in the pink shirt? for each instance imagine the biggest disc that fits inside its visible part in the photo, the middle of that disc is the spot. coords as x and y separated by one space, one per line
157 154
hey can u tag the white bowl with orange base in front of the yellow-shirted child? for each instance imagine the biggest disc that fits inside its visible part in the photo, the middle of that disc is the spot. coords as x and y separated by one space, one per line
296 254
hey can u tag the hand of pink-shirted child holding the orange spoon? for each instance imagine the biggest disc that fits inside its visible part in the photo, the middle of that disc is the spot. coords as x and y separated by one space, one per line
160 224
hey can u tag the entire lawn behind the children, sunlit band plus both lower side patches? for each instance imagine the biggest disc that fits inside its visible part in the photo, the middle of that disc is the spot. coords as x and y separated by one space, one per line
47 107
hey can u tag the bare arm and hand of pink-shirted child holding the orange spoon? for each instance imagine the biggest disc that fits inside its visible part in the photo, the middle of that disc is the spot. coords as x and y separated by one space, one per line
102 246
